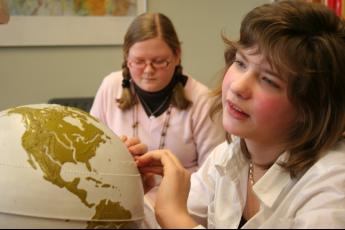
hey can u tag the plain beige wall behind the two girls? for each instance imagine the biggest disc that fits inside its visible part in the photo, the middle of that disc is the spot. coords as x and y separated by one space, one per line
35 74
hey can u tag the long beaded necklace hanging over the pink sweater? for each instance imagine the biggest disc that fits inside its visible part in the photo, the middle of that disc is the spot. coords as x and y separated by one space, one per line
164 128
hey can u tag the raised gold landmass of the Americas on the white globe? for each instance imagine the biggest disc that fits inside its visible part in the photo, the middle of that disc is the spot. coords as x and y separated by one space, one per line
51 141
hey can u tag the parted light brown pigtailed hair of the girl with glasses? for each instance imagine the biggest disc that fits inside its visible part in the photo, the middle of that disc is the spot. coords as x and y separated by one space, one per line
147 26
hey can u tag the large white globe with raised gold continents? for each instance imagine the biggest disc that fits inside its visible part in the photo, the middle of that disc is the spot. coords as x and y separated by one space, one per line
60 167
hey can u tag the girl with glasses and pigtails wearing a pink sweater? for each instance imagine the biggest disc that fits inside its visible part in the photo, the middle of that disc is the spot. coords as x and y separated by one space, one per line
153 100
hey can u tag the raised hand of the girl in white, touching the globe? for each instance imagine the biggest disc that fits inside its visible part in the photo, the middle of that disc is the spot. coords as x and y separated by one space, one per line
171 203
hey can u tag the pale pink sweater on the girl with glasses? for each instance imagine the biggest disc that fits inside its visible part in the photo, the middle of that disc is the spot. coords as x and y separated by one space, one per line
191 134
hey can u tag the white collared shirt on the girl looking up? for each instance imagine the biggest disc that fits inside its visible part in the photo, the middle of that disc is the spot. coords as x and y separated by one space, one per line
316 200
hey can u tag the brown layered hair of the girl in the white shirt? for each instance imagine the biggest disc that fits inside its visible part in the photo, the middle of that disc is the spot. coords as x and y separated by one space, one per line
305 42
